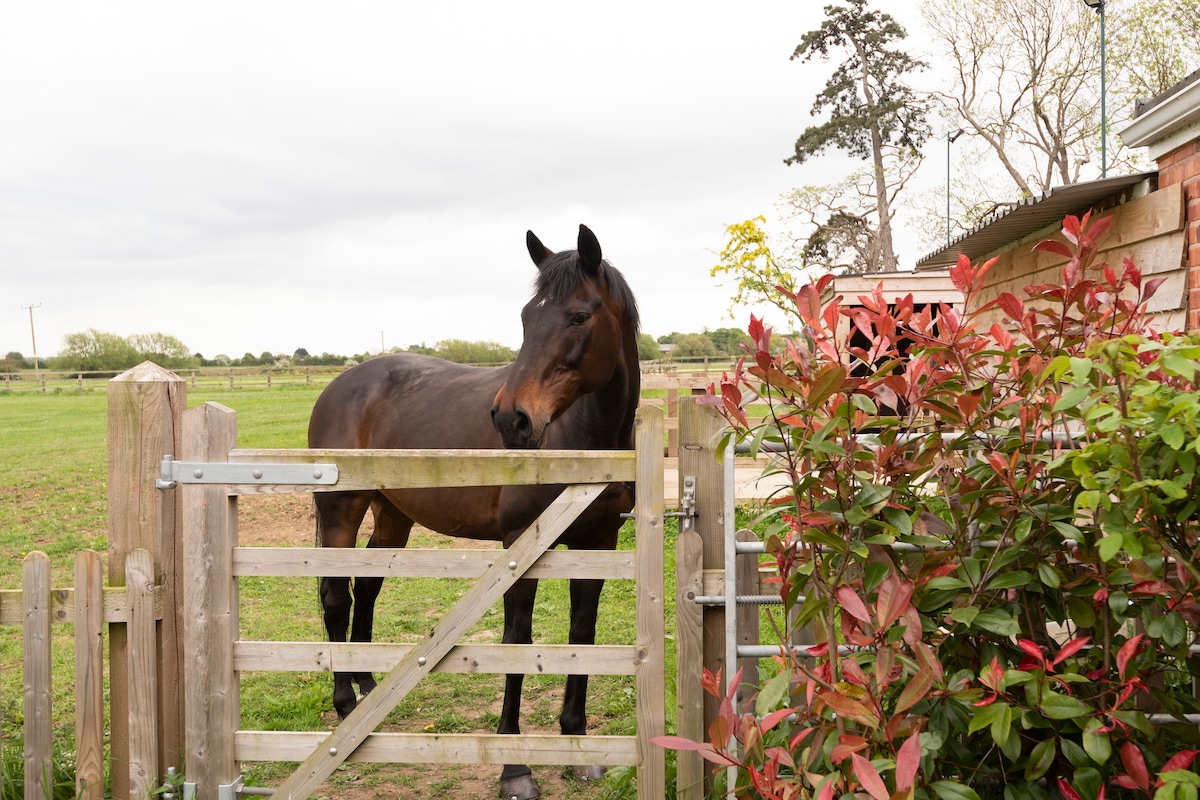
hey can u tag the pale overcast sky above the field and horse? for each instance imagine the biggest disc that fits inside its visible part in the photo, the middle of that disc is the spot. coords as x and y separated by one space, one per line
259 177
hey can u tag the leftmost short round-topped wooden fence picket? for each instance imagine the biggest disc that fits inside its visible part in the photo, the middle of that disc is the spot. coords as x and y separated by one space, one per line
39 720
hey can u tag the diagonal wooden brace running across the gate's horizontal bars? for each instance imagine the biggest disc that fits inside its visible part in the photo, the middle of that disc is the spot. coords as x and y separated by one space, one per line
422 659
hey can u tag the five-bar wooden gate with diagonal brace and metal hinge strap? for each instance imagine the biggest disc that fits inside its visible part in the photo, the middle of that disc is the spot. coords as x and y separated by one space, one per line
214 654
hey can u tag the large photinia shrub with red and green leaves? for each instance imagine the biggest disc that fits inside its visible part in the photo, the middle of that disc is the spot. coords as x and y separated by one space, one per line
993 527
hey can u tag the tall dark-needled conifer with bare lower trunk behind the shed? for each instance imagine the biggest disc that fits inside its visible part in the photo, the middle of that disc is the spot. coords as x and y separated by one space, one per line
873 113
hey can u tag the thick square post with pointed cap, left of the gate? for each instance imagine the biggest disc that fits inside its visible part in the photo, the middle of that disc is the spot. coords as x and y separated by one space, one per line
146 406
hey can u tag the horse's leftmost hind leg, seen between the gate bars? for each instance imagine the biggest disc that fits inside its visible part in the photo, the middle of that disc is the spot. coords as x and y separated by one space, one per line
339 516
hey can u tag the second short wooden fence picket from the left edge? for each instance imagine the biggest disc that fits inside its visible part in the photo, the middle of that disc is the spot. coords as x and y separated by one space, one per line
89 624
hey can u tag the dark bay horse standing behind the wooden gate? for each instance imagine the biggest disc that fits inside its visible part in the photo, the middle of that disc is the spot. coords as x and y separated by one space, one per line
574 386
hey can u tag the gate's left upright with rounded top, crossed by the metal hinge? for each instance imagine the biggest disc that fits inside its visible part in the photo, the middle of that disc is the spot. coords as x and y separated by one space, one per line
211 605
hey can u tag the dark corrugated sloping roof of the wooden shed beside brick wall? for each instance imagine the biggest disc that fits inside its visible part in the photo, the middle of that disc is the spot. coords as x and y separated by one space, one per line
1031 215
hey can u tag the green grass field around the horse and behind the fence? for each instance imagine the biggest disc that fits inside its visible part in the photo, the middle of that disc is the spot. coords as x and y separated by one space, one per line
53 483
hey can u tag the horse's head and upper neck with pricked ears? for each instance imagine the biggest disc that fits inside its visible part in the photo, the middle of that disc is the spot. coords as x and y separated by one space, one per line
580 338
